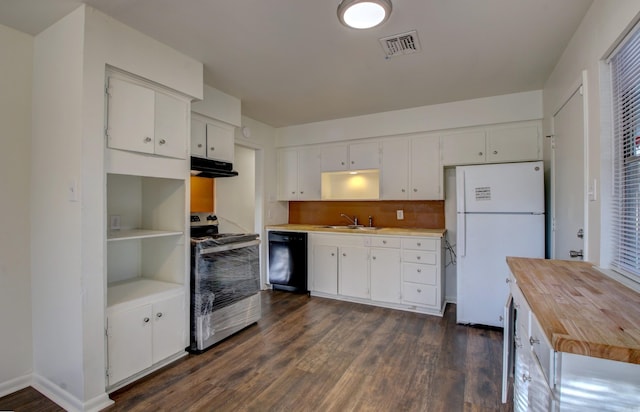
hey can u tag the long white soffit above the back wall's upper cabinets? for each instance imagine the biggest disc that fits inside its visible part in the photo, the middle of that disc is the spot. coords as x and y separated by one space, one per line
477 112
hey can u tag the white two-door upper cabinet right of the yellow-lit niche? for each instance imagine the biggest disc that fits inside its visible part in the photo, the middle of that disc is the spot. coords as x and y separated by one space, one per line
411 169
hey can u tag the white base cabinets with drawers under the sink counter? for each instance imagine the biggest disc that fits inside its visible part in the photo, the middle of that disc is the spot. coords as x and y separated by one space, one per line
390 271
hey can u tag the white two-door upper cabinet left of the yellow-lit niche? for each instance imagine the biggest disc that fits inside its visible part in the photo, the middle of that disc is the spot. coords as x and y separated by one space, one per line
299 174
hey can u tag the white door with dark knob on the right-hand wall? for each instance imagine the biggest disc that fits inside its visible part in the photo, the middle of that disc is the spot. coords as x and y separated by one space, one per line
567 172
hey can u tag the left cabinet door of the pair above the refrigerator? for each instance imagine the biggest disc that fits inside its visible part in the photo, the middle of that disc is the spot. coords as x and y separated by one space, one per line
463 148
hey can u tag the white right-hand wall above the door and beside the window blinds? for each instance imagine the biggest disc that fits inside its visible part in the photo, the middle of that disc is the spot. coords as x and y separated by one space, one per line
604 25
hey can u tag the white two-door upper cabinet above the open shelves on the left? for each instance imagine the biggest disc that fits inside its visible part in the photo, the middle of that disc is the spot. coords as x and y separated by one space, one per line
141 119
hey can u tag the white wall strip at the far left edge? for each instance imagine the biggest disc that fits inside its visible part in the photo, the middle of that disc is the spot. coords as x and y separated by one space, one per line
15 270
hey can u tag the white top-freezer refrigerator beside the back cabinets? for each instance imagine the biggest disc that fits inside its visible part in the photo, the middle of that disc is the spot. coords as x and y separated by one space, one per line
500 213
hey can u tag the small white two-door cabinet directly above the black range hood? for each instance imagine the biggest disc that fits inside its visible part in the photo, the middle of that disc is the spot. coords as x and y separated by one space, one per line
212 139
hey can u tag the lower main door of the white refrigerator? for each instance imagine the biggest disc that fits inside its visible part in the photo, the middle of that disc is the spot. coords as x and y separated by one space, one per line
484 242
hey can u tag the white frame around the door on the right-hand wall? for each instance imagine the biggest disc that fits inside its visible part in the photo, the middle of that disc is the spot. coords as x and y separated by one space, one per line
579 86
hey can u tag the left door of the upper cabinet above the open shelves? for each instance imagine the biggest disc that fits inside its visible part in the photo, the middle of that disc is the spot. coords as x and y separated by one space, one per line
130 117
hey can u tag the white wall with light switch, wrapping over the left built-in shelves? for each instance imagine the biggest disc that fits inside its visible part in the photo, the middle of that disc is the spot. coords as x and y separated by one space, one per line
68 237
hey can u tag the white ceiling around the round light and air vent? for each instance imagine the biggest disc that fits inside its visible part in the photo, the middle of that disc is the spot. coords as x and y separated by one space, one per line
291 62
